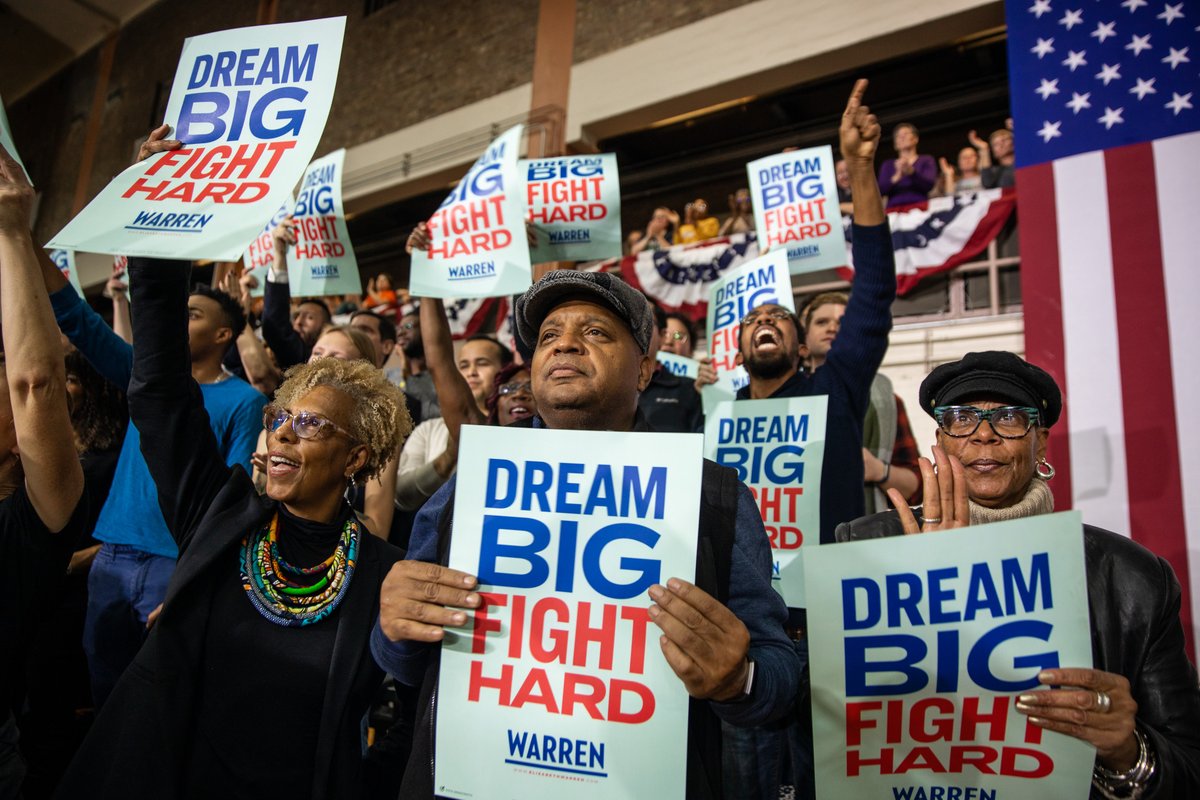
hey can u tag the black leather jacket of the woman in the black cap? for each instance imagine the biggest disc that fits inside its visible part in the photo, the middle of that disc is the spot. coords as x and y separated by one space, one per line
1135 605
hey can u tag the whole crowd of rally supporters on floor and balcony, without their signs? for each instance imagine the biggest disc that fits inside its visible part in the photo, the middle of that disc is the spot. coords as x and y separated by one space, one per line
225 522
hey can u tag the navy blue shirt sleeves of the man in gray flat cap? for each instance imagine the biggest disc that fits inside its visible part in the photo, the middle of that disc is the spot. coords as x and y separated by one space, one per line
752 600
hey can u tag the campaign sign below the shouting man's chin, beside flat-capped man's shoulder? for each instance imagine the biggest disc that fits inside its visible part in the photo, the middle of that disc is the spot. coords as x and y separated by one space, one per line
777 448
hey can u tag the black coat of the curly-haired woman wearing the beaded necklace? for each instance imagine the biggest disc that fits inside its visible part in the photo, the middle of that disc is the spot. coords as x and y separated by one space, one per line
140 744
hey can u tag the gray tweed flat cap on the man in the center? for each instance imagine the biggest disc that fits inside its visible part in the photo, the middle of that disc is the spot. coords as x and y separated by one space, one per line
603 288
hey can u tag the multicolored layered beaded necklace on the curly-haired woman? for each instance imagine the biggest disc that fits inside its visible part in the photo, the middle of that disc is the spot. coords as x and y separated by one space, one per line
292 596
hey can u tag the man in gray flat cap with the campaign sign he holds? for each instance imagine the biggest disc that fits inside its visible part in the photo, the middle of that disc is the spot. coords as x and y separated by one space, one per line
559 534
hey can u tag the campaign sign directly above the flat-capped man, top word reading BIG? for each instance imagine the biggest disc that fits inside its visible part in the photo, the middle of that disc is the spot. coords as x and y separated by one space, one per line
575 208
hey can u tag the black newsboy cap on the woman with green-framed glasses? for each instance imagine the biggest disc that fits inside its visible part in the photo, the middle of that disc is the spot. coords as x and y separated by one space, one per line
994 375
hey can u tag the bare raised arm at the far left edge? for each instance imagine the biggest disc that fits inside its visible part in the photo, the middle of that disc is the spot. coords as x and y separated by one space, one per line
34 364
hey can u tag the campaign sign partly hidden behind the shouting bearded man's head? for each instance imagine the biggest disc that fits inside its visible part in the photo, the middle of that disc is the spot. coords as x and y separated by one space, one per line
730 298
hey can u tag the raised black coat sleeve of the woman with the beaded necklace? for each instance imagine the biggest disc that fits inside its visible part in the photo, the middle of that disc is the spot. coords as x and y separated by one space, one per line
165 401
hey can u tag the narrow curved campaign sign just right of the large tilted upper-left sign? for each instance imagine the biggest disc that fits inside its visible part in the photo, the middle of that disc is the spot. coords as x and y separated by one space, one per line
323 257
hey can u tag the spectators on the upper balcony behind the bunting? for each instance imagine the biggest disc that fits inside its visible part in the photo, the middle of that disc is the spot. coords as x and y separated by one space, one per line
908 179
